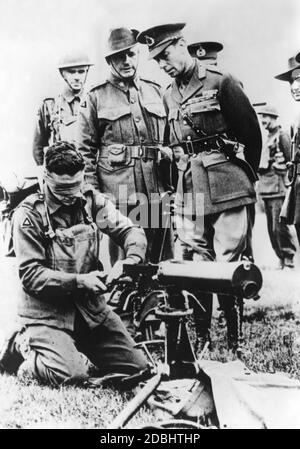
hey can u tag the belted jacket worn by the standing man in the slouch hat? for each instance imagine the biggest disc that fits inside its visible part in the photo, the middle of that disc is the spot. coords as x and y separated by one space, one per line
116 121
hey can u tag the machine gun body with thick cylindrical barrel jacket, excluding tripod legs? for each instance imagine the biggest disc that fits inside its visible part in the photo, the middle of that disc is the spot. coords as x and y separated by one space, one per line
143 287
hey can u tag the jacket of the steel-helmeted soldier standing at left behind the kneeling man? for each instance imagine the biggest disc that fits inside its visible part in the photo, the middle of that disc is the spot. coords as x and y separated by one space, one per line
56 120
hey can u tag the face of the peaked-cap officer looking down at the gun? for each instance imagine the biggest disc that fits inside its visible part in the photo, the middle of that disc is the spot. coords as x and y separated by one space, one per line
172 59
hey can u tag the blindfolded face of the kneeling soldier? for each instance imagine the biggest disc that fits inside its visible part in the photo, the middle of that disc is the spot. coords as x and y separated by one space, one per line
67 197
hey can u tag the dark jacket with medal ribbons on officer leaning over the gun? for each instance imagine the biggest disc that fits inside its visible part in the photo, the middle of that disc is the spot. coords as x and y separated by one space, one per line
217 104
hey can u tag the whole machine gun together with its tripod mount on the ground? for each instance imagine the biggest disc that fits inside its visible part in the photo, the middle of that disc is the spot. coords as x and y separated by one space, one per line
172 279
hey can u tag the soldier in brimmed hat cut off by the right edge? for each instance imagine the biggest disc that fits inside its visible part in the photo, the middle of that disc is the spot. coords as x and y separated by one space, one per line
290 213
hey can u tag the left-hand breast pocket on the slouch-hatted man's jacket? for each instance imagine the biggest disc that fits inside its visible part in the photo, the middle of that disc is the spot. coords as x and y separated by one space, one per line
117 123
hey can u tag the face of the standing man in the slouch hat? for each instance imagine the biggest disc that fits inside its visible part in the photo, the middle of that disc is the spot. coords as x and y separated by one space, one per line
125 64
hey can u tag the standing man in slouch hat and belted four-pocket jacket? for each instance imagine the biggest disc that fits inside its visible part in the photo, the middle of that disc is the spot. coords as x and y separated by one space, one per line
121 127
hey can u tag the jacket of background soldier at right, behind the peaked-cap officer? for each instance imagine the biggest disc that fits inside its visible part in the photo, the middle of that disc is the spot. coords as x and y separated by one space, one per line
271 181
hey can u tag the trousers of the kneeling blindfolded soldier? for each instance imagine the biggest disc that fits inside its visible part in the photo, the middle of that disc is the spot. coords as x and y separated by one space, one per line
56 356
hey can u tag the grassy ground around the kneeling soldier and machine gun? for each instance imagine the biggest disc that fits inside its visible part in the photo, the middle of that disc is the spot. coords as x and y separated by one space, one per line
272 336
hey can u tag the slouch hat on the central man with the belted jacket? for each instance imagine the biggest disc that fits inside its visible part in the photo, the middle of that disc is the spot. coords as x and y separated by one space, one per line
120 39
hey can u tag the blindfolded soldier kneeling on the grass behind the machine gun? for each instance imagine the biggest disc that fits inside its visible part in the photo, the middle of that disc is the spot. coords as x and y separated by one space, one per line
66 330
